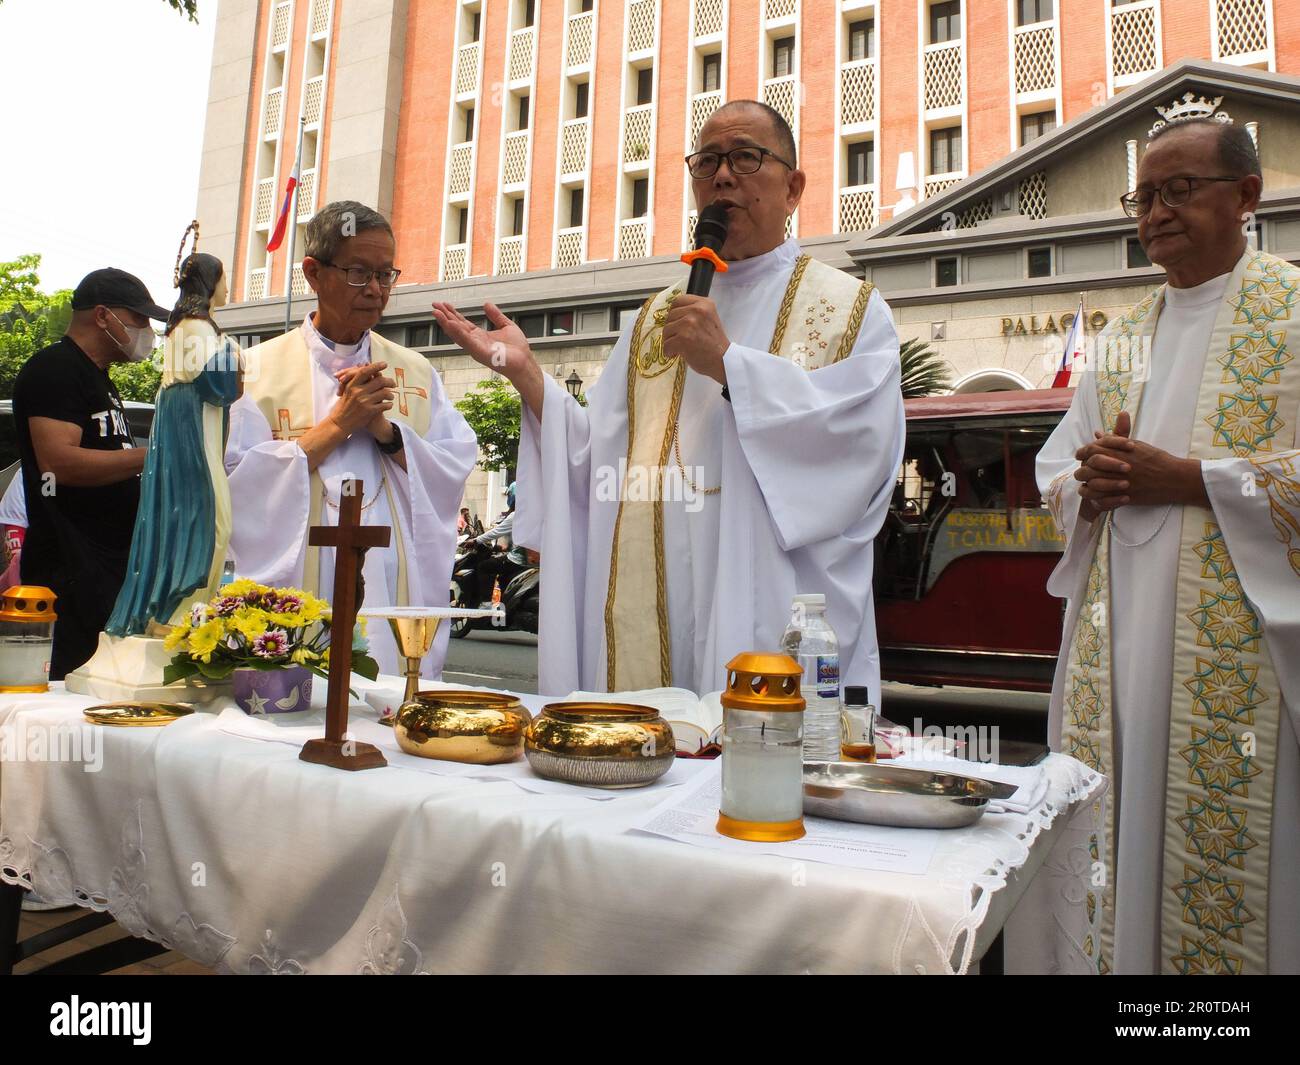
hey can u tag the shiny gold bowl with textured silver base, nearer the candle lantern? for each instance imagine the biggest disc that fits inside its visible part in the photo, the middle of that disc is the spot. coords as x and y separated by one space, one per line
600 744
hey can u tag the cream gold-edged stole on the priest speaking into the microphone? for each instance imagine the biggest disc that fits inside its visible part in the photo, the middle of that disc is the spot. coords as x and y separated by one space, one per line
817 324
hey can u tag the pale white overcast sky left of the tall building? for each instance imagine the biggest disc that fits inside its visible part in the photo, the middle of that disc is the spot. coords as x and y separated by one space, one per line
105 109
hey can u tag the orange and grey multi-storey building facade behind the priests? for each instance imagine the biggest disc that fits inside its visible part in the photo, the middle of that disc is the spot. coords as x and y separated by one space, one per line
965 155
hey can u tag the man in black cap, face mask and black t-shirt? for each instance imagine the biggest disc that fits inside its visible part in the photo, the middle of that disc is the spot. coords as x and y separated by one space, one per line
80 469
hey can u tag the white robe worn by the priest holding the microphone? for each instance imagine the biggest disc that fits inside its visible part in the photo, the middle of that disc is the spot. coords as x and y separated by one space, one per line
805 462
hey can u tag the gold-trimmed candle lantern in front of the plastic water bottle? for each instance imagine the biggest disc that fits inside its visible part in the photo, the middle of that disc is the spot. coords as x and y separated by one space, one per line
762 750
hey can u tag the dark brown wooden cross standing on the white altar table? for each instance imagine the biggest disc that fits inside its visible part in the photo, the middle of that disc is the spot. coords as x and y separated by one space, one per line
350 539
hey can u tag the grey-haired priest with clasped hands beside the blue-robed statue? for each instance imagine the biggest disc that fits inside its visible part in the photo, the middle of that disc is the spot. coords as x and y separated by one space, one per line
335 400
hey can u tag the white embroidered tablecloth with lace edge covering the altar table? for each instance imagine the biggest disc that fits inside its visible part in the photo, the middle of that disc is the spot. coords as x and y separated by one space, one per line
245 859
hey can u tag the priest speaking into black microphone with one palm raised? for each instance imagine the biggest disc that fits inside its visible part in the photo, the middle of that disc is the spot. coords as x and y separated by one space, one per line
739 449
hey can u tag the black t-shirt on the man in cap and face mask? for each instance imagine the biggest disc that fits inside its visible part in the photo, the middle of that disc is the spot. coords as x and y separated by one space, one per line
73 527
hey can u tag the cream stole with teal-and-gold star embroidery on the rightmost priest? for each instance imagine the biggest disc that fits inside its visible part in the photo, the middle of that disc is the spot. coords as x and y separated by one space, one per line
1225 707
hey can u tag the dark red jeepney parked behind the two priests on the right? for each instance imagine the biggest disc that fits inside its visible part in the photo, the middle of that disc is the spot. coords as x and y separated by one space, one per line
964 559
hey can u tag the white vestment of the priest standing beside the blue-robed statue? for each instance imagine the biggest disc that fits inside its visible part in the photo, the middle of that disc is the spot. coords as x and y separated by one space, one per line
274 491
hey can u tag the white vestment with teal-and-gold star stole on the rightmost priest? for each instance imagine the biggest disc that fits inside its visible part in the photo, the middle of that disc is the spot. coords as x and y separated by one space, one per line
1211 350
